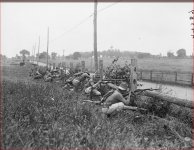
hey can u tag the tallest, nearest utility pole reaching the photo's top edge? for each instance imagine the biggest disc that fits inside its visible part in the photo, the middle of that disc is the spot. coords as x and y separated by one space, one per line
95 36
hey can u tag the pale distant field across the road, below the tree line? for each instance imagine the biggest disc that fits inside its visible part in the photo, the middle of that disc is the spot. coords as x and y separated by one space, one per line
147 64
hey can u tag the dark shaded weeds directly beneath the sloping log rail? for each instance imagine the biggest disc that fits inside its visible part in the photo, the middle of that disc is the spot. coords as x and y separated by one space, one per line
163 108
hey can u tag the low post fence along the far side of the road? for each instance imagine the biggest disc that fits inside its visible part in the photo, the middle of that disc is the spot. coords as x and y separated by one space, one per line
181 78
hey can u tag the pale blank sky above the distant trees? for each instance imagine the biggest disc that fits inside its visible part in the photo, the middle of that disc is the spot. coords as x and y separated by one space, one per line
155 28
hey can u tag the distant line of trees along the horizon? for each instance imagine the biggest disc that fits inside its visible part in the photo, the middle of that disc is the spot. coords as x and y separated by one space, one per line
24 54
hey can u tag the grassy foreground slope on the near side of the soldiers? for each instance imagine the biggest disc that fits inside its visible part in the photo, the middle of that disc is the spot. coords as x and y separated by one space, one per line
39 115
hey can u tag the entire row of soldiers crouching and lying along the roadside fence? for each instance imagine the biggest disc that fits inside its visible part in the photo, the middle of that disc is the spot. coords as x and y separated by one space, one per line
110 96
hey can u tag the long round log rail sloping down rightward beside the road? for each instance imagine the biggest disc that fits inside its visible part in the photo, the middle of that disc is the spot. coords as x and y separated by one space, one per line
174 100
